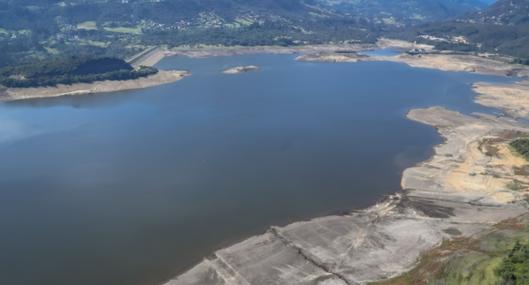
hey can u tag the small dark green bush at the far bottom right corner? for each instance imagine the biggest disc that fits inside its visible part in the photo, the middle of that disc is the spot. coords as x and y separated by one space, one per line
515 267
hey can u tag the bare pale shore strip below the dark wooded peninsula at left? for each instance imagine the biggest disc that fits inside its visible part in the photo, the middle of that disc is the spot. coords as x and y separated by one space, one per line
162 77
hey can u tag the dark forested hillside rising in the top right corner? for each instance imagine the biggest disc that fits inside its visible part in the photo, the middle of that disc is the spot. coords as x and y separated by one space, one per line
501 28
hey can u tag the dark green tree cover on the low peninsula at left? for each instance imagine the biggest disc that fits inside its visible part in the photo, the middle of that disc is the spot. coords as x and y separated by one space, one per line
70 70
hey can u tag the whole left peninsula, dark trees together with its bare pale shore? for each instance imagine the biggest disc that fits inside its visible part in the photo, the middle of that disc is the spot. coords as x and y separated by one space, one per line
81 76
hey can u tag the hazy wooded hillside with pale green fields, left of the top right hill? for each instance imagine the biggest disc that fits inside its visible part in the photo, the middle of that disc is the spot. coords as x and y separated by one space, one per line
42 28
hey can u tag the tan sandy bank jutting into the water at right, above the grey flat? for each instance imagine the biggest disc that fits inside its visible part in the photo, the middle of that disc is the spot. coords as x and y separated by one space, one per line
474 163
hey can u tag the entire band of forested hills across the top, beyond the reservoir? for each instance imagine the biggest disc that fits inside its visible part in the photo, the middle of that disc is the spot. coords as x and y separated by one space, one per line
33 30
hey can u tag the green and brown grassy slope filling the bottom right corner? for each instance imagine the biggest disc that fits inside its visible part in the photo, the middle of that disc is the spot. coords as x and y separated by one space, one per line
499 257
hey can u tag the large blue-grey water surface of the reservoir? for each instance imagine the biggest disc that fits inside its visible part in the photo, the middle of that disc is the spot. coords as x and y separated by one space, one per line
136 187
